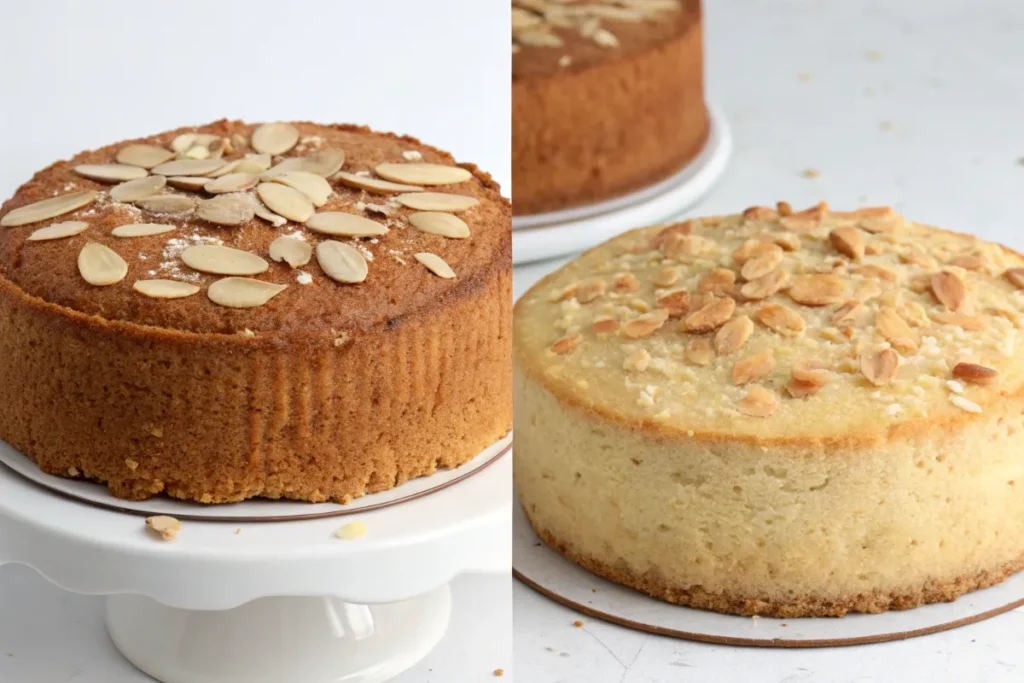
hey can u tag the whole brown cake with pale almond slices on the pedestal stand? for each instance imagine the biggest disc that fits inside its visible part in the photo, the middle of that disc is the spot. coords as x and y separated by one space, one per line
235 311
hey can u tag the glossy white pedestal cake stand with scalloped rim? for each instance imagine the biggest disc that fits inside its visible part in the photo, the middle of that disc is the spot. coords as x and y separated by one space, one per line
268 602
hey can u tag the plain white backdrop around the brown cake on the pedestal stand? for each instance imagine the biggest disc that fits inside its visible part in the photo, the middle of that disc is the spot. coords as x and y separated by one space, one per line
77 75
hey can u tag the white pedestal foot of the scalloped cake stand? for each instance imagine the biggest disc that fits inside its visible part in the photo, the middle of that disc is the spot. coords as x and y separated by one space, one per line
319 641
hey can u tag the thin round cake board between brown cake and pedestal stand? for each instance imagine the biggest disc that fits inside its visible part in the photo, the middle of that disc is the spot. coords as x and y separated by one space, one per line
254 509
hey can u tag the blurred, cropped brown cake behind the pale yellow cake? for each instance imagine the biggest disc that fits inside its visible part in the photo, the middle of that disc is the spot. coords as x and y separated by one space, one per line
608 98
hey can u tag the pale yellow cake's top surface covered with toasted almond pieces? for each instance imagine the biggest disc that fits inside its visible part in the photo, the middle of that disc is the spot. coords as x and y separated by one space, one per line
781 325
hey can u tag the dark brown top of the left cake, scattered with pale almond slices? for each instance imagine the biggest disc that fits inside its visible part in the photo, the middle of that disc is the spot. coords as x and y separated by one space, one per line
377 228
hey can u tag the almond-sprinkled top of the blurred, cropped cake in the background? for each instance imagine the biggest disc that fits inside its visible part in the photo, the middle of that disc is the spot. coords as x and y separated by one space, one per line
551 37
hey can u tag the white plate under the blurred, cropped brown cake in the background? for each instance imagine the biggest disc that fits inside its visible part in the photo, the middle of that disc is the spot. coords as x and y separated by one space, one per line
545 236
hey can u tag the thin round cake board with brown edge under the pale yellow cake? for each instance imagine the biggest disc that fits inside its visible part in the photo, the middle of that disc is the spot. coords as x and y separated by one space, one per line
547 572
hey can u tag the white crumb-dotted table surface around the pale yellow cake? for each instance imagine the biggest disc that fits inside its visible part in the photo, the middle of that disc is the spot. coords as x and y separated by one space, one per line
917 105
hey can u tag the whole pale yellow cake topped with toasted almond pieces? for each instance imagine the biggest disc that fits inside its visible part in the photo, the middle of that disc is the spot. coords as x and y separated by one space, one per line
790 414
